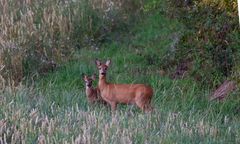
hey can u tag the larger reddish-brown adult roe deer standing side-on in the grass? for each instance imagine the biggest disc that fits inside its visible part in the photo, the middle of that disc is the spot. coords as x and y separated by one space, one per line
113 94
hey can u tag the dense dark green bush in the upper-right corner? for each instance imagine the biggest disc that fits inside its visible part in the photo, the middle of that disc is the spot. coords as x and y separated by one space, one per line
211 41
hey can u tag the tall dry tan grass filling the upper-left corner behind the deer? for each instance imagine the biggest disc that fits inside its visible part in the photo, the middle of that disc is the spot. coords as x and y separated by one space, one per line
36 35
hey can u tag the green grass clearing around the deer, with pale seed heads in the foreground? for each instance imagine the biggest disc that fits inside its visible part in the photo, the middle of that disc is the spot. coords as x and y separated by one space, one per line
57 110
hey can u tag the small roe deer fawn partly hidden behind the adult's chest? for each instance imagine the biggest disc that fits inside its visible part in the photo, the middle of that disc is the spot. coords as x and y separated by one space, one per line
92 93
